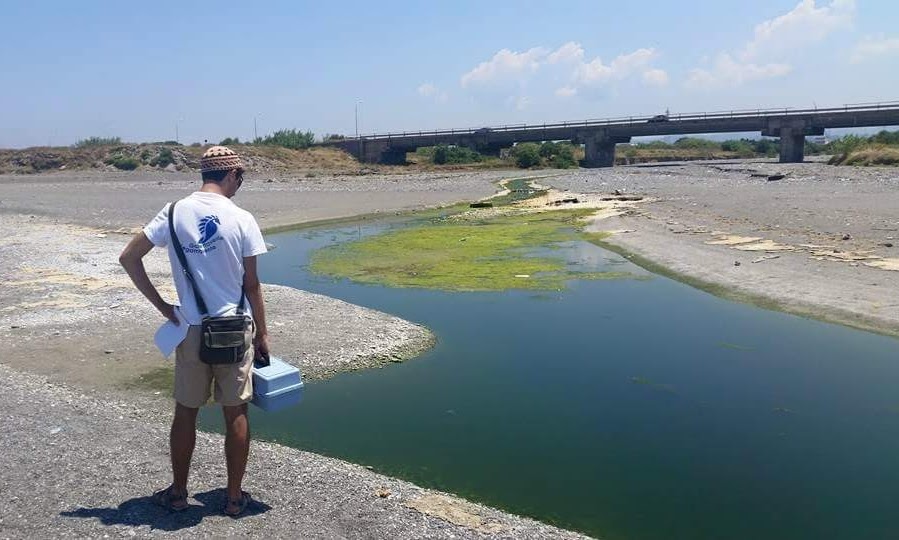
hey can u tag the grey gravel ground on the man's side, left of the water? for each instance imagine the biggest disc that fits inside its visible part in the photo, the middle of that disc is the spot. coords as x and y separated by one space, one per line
85 443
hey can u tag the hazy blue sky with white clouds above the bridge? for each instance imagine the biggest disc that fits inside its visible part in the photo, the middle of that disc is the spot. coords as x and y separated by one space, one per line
209 70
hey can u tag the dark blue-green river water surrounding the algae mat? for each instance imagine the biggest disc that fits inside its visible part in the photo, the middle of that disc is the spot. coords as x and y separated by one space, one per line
635 408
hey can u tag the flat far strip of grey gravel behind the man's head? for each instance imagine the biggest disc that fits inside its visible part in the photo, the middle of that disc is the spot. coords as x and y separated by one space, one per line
115 201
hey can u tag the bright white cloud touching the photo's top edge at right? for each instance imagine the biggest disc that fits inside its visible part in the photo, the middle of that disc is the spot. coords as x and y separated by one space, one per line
805 24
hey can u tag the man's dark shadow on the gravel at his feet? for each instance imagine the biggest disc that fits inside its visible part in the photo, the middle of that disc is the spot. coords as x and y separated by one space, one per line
143 511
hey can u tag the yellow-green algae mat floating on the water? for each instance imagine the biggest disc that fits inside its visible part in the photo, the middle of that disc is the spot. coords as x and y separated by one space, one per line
485 249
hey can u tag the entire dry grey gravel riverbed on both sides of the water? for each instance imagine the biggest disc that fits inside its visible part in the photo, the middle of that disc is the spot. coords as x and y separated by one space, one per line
86 437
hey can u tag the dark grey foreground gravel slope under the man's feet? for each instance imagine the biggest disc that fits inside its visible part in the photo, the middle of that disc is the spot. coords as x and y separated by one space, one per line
78 467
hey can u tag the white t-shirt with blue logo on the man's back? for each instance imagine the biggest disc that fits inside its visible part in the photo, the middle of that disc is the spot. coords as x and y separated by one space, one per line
215 235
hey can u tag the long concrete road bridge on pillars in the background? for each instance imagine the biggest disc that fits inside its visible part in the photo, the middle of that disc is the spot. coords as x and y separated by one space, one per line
599 137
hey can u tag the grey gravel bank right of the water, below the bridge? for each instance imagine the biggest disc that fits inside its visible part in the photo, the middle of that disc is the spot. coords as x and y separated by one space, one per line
828 224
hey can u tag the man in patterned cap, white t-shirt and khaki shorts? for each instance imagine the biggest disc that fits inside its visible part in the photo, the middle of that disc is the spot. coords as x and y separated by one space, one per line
220 243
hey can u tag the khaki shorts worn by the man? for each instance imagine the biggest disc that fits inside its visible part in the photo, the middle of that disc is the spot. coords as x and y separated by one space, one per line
194 379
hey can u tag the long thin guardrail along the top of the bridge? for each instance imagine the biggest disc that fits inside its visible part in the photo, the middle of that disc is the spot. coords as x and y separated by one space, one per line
631 120
